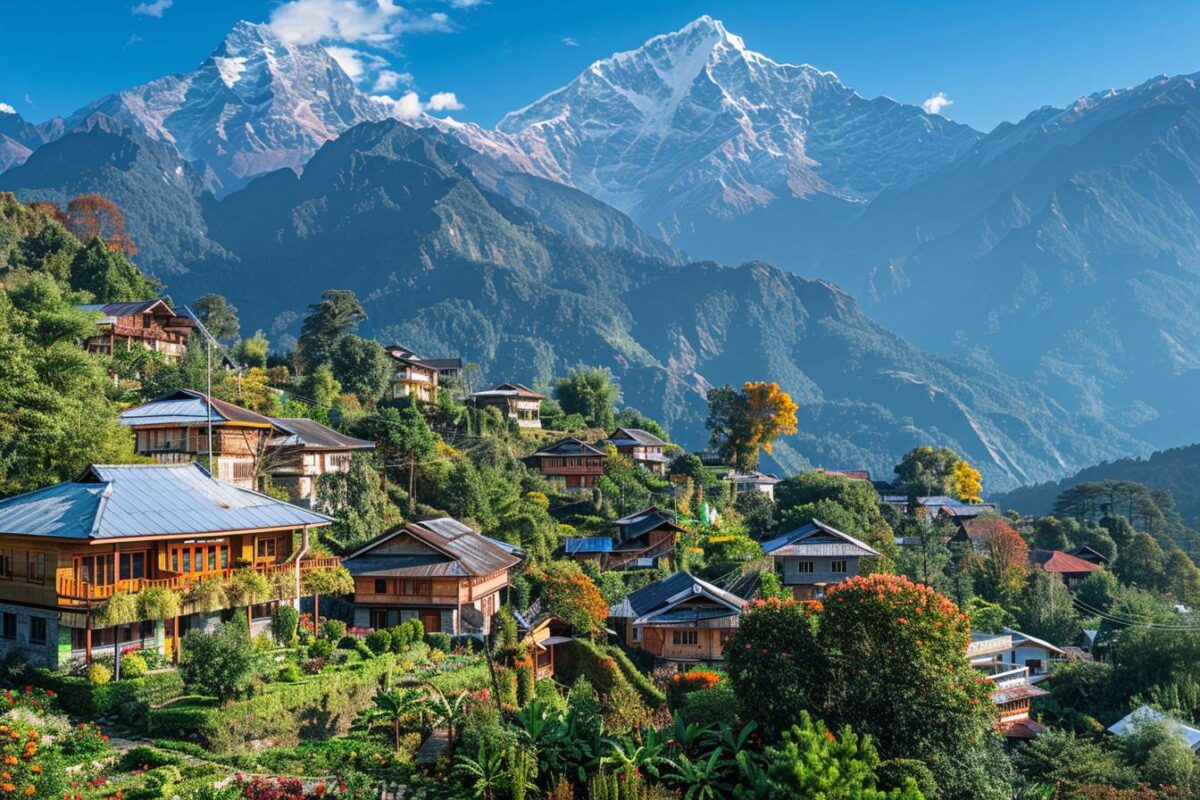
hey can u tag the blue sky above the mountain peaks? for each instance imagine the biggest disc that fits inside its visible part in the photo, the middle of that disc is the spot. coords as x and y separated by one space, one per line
997 62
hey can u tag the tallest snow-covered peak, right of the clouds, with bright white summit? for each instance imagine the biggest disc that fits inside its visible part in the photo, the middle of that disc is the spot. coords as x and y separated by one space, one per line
707 143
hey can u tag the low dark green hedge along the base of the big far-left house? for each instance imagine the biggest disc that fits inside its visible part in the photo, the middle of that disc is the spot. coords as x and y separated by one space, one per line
128 700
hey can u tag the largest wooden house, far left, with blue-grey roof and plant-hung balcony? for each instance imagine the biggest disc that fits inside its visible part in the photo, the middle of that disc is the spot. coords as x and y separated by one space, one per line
67 548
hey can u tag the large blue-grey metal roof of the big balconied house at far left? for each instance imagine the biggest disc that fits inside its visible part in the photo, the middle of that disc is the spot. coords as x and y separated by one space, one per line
147 501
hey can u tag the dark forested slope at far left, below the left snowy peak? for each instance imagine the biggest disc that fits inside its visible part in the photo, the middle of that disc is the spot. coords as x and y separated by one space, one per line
158 193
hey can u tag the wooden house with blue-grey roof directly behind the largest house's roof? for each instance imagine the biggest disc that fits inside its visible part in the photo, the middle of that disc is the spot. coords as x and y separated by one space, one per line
175 429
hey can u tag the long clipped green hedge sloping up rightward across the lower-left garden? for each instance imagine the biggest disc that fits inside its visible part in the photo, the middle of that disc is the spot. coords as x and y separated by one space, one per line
280 717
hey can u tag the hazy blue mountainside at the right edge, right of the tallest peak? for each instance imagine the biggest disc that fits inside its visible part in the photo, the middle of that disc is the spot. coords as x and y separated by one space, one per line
1065 249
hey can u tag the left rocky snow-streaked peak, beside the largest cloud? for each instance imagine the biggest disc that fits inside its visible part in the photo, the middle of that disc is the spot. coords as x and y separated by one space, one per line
256 105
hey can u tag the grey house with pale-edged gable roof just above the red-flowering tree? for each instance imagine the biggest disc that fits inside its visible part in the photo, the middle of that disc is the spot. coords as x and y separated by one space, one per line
815 556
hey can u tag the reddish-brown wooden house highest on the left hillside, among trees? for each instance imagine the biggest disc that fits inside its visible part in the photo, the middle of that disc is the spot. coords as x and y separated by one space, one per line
152 324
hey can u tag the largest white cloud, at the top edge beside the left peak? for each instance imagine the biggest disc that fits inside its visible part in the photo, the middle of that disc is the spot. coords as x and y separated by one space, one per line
351 22
